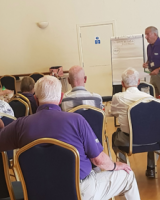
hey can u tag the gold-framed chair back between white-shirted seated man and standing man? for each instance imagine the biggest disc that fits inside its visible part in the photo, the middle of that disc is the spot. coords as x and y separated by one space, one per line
147 87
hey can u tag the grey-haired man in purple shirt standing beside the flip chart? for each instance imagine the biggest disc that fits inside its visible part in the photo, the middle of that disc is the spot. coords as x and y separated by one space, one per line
153 54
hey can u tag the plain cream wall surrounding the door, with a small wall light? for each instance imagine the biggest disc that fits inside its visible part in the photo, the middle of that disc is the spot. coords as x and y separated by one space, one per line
25 48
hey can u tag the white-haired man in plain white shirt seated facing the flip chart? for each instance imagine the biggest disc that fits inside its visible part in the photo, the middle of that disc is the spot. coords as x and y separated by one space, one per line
119 108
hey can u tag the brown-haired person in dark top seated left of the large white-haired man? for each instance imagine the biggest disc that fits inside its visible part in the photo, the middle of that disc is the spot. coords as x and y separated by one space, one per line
27 89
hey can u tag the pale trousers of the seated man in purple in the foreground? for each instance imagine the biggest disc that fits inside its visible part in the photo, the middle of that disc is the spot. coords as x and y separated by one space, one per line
104 185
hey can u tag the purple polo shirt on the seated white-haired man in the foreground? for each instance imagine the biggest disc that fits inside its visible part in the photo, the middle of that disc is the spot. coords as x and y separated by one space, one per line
50 122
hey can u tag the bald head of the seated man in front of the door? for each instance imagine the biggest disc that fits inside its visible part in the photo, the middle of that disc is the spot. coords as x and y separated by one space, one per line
77 76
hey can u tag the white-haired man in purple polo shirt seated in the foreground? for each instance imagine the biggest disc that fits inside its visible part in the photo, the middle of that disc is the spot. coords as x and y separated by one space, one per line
74 130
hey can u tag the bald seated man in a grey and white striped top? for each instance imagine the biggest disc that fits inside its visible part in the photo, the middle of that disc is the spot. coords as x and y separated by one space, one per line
79 95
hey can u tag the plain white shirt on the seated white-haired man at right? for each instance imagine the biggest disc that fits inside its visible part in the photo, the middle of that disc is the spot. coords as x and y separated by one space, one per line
121 102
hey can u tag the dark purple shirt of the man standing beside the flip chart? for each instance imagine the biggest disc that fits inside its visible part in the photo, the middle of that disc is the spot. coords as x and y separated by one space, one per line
153 53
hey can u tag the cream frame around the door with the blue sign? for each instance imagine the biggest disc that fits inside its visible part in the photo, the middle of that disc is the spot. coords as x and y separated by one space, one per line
79 38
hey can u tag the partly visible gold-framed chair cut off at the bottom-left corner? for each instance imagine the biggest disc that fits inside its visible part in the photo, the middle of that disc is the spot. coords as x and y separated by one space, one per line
8 190
